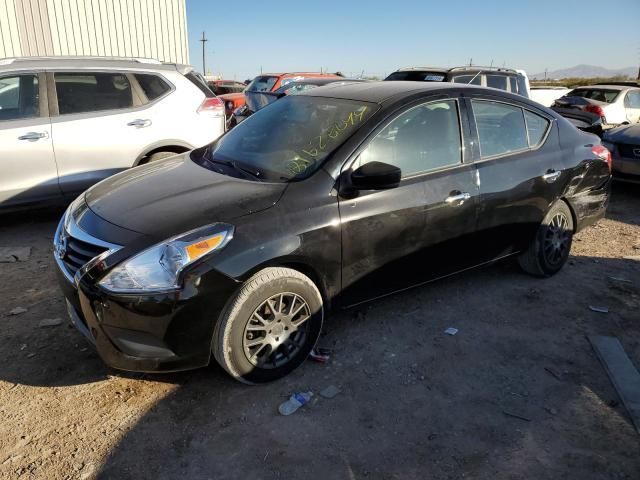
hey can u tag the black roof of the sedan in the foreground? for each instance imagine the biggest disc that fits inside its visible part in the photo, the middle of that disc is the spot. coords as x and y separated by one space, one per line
378 92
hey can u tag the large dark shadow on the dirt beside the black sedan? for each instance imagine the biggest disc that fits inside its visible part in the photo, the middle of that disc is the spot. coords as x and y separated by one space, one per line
416 402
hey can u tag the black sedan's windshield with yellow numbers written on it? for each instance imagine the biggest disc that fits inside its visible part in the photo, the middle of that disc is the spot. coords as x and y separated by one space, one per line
289 140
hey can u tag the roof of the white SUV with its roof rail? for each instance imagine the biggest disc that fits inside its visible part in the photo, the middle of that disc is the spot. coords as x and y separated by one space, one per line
85 62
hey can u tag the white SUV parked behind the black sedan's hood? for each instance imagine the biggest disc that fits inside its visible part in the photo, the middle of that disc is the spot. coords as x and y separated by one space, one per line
67 123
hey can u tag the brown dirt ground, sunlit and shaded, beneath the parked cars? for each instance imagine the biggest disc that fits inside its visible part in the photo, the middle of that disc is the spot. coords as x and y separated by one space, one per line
414 403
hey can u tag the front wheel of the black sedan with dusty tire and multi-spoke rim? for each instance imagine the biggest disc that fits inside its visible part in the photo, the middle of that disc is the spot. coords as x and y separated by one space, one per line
268 291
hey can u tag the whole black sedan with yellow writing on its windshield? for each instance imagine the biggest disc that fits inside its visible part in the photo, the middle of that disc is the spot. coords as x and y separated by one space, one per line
326 199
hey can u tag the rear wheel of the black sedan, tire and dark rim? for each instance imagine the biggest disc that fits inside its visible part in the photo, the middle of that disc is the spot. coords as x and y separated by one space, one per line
549 250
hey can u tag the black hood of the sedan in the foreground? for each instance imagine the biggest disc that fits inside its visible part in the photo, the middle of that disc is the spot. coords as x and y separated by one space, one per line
175 195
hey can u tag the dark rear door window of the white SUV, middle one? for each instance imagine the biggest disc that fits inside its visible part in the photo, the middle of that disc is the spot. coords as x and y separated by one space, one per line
92 92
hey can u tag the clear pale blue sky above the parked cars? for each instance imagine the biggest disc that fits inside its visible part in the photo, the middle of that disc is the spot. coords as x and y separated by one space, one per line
377 37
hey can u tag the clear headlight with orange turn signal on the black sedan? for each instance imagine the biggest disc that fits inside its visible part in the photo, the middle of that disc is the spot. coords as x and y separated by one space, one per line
159 267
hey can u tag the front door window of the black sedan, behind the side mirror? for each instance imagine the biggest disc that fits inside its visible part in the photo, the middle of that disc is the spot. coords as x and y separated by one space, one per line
423 138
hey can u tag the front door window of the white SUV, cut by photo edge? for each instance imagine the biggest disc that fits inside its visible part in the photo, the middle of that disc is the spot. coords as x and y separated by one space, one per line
19 97
